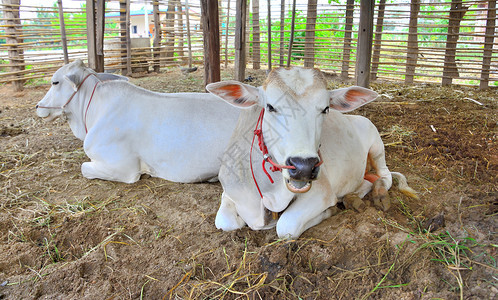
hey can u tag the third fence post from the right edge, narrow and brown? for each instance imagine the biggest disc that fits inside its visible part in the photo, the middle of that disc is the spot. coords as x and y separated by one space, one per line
412 51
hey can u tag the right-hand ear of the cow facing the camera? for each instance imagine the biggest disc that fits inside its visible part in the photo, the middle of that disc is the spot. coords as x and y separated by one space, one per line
348 99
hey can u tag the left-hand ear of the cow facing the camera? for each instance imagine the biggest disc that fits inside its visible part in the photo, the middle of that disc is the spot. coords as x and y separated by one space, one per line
235 93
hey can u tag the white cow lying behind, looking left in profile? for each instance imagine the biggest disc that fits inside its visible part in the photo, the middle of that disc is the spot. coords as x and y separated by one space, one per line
128 131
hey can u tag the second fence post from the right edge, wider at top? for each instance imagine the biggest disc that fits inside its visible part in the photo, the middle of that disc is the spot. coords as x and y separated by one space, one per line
450 70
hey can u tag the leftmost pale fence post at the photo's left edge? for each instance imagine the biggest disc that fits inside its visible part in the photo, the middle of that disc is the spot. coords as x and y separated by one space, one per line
13 31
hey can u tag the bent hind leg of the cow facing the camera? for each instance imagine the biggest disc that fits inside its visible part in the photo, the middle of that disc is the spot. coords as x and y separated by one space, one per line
377 160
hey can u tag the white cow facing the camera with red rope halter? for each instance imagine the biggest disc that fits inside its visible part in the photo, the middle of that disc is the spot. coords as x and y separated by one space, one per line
302 129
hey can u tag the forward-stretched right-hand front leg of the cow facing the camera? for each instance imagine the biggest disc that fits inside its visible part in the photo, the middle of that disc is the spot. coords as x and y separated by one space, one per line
306 211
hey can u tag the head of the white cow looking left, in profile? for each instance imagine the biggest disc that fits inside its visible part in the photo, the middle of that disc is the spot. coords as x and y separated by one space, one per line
65 82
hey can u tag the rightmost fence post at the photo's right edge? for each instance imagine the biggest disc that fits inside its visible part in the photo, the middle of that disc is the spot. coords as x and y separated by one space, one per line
488 44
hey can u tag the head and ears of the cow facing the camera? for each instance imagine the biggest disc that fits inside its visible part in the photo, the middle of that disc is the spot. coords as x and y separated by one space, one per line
296 101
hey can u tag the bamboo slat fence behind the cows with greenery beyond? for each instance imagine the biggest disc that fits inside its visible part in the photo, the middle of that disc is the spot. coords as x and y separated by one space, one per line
448 42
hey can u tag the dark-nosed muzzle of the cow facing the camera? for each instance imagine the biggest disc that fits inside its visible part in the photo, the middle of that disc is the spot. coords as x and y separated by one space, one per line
304 172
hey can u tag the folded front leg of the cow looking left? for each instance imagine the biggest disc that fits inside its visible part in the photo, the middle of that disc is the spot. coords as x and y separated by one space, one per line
127 173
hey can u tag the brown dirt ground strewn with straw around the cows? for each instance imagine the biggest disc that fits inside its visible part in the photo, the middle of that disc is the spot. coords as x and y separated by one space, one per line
66 237
